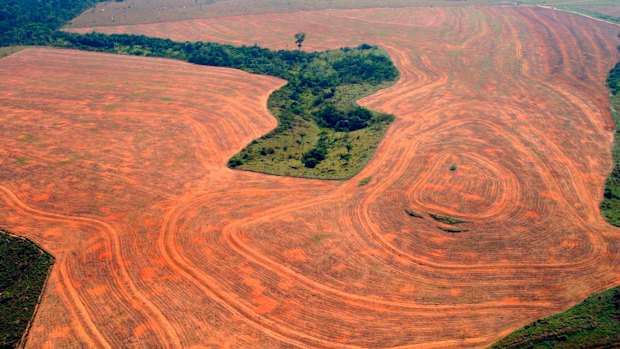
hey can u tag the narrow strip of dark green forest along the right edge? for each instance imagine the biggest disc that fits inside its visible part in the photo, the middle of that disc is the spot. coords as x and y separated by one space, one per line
610 205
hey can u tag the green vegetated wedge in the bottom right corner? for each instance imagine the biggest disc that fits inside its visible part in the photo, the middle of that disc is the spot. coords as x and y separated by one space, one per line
593 323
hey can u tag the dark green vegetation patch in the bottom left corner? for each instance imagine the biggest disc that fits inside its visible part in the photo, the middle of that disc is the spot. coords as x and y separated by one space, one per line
22 276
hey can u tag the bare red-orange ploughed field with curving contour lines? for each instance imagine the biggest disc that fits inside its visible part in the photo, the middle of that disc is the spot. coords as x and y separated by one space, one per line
116 165
